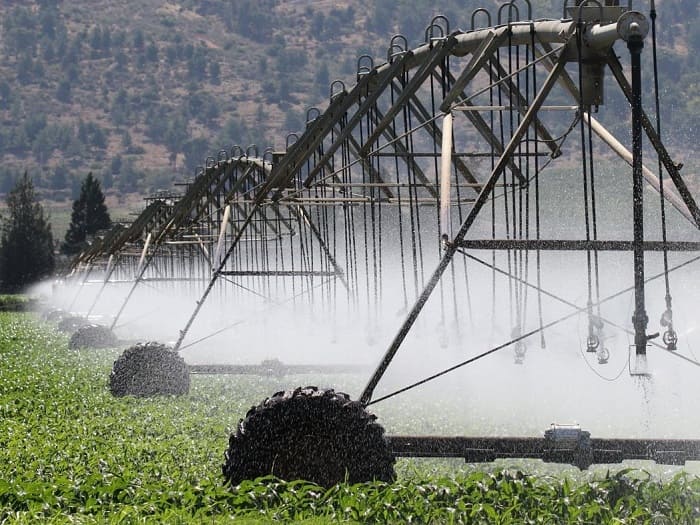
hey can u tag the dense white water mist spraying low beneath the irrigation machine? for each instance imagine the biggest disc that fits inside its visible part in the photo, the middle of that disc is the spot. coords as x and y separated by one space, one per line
493 396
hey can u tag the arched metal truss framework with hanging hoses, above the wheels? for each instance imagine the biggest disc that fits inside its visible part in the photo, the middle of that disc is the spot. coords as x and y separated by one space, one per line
412 155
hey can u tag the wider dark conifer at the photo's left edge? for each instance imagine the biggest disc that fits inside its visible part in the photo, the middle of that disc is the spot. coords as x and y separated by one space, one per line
26 243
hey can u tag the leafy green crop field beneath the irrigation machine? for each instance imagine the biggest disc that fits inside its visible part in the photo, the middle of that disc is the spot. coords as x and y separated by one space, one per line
71 453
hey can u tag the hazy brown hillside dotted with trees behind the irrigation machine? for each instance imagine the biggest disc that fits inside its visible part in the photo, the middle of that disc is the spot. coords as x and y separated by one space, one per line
140 93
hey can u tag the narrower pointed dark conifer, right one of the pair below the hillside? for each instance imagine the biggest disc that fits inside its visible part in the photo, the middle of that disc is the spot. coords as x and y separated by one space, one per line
89 216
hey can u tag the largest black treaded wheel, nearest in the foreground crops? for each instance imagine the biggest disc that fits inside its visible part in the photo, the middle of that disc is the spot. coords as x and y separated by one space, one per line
313 434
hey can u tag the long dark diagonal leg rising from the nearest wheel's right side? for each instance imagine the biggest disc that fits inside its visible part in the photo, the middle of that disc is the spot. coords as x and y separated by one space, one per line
452 247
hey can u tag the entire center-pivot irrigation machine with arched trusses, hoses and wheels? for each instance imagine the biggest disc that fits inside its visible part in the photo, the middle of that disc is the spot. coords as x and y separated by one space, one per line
485 140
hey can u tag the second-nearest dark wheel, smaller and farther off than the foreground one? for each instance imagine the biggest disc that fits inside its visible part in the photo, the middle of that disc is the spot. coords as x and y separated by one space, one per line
149 369
